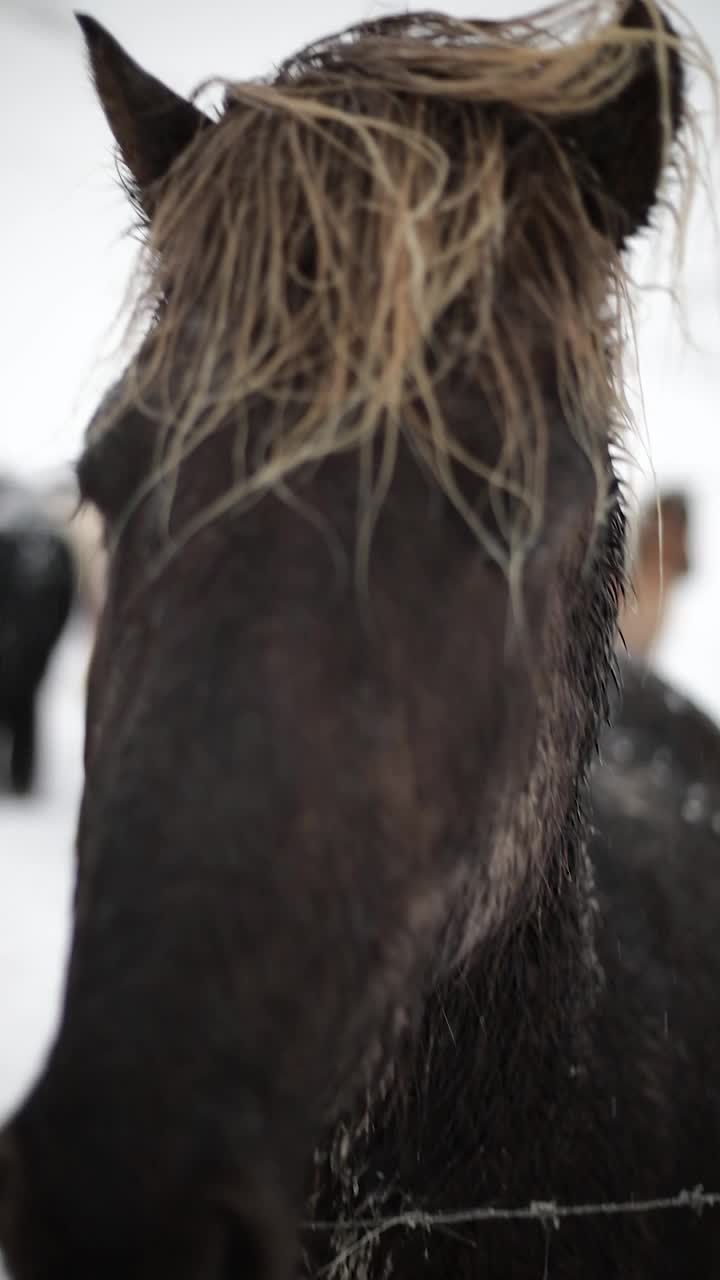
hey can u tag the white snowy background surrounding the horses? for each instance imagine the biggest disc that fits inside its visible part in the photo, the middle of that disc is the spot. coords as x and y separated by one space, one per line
63 268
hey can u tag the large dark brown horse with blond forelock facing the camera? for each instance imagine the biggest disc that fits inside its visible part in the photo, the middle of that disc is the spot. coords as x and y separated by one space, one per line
376 972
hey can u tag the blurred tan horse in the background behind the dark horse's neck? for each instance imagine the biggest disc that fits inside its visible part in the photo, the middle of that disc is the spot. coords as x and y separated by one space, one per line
660 563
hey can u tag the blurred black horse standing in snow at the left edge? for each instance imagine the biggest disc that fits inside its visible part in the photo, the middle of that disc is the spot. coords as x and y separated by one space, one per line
37 596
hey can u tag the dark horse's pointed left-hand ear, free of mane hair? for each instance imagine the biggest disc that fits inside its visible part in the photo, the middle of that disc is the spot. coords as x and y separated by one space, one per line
151 124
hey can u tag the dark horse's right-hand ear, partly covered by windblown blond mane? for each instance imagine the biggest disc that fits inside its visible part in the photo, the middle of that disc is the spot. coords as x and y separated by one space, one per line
622 147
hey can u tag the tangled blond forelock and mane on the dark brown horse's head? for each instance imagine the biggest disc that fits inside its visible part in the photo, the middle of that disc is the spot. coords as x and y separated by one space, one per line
390 217
